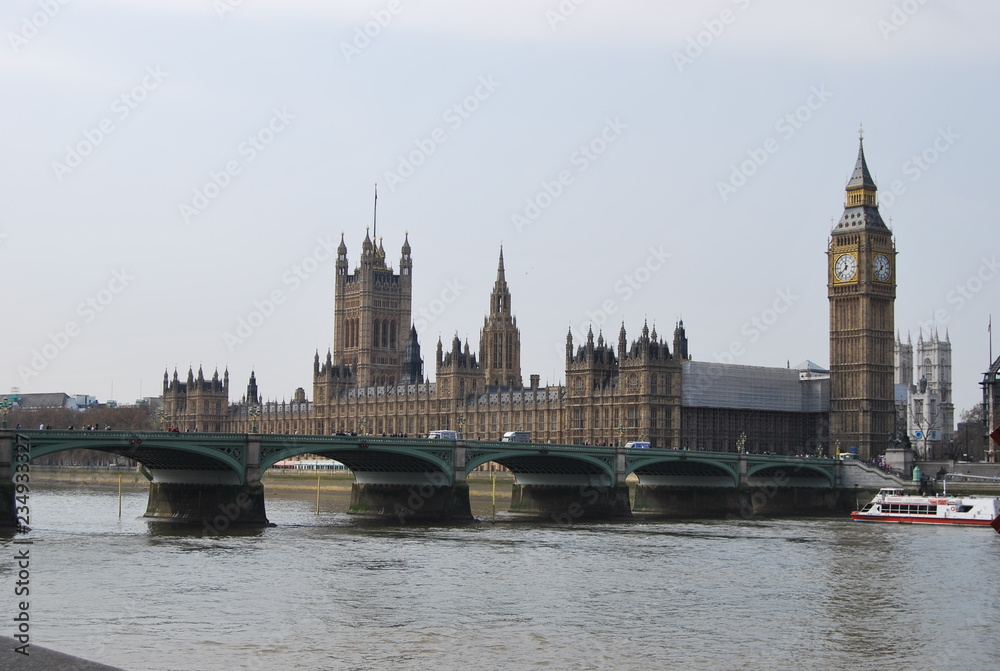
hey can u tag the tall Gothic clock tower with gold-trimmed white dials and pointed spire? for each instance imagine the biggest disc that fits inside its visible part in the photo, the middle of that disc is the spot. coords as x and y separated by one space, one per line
862 288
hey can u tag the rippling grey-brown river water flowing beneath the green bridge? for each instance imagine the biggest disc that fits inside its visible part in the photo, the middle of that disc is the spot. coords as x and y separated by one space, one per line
329 591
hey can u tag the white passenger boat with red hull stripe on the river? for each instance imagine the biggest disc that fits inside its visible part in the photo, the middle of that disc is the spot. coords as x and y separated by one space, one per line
895 505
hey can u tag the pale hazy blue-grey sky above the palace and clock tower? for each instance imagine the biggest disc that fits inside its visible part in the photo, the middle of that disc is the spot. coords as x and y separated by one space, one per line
177 173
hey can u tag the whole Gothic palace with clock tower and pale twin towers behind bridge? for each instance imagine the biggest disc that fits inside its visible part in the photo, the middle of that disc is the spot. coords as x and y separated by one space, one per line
640 389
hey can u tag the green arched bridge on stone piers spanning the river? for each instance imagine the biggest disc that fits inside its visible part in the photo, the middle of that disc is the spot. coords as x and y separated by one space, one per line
197 477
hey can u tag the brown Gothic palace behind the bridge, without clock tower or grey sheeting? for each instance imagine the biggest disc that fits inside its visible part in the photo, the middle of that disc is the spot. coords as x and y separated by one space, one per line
372 381
